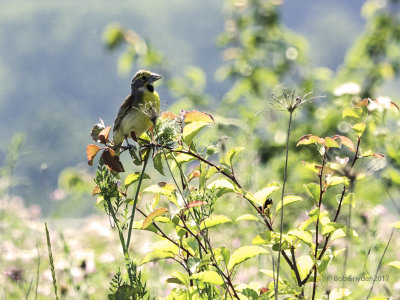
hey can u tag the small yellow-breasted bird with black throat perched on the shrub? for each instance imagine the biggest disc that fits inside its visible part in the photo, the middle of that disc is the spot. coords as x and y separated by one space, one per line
139 110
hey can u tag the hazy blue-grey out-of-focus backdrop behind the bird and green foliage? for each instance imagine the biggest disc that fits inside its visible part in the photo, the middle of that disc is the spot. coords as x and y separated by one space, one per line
58 78
